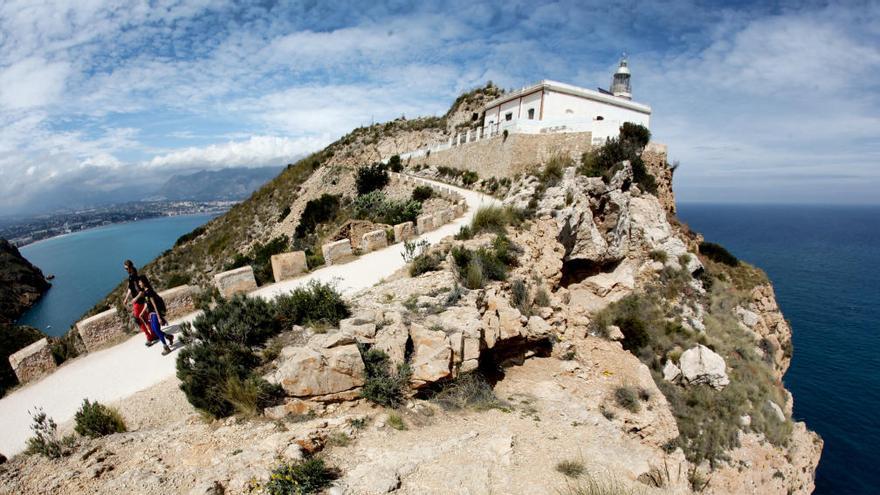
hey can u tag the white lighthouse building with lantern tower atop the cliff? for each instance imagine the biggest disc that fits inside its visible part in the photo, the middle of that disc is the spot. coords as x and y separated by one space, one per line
551 106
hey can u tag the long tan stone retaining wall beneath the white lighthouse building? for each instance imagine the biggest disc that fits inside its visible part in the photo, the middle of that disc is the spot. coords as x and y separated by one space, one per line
518 153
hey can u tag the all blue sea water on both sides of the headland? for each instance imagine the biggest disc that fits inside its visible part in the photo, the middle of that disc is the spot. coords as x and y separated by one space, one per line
824 262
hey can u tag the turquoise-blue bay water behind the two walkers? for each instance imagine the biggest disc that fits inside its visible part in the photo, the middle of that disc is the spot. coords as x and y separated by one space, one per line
88 264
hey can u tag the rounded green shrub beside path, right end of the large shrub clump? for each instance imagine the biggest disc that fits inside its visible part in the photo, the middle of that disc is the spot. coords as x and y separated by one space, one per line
317 302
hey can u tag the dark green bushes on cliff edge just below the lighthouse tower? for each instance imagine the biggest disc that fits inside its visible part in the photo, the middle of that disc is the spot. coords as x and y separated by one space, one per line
606 160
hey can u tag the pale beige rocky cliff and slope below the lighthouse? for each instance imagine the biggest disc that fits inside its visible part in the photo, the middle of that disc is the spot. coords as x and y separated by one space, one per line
576 338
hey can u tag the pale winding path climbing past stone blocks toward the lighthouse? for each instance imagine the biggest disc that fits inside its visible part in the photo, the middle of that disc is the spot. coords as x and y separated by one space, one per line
122 370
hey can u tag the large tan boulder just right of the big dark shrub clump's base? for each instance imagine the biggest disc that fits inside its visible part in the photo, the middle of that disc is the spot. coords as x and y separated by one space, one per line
309 371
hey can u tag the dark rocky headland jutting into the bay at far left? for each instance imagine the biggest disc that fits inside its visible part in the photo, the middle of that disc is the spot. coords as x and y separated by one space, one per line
21 283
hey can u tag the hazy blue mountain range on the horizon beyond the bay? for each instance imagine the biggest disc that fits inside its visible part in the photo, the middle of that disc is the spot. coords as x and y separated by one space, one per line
228 184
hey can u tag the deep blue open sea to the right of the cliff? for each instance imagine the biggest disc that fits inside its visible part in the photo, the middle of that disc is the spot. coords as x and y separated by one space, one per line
824 262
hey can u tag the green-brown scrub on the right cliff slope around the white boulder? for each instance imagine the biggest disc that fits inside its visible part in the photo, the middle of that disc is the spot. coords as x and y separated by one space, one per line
708 419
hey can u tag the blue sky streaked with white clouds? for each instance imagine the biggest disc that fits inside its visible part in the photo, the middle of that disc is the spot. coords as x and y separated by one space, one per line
758 102
